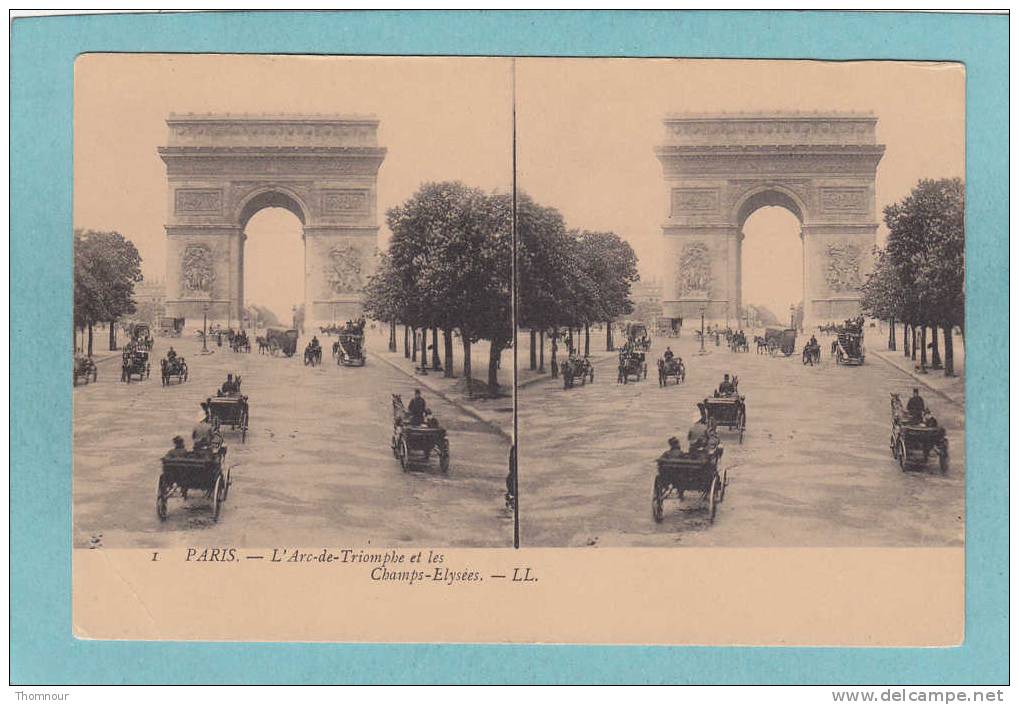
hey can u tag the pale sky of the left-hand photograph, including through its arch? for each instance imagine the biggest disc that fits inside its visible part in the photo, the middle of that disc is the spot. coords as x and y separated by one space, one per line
440 120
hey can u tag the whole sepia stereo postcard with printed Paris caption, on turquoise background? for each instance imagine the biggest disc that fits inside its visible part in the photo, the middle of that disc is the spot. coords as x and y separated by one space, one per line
443 335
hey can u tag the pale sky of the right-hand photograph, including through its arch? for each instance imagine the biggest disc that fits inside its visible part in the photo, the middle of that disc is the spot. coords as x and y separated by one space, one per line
587 131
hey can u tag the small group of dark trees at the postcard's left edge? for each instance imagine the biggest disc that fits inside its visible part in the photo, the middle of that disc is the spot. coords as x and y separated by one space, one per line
106 268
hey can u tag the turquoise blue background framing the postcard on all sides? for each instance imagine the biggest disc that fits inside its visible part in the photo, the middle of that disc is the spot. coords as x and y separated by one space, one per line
43 53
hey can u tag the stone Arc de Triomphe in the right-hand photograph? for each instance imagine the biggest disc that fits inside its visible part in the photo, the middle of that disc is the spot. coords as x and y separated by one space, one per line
720 169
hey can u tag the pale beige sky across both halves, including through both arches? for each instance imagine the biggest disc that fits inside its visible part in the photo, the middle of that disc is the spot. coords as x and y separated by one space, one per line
586 134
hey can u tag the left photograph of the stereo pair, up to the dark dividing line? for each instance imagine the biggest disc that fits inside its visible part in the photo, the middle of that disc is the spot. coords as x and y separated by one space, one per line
293 314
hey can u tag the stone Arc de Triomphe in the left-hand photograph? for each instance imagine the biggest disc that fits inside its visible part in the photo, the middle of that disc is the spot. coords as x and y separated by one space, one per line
222 170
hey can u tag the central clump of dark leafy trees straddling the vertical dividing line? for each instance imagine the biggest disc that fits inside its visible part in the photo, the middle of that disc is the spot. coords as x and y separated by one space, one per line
449 268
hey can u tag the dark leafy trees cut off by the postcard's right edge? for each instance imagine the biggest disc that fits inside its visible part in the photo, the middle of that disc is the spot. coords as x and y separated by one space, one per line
919 277
